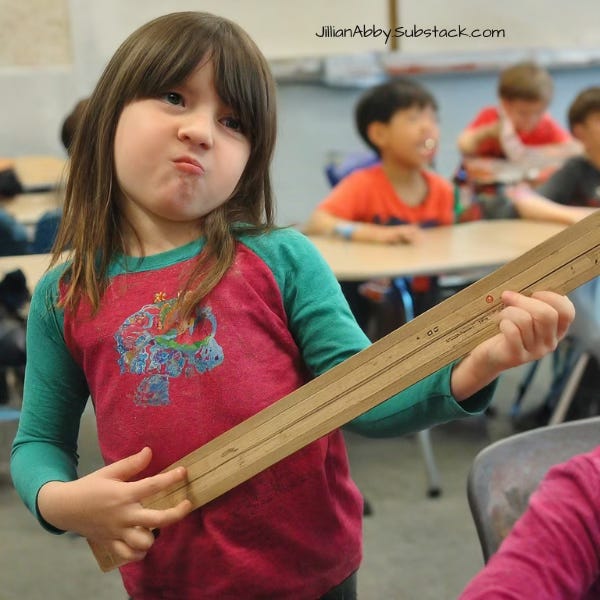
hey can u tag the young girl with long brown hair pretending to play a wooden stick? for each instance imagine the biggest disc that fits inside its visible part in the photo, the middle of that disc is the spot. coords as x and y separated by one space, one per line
183 311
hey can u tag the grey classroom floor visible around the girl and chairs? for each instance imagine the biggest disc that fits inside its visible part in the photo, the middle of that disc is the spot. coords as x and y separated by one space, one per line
416 547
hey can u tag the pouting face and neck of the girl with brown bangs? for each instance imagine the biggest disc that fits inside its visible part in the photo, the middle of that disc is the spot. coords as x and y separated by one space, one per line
177 156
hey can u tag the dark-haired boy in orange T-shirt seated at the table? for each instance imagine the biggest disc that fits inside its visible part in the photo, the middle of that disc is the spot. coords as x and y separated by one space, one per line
389 202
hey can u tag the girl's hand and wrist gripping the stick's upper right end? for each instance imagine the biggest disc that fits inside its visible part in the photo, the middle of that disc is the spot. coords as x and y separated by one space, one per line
530 328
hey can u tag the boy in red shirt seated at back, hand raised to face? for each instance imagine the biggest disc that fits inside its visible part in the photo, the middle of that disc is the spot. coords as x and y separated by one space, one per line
515 141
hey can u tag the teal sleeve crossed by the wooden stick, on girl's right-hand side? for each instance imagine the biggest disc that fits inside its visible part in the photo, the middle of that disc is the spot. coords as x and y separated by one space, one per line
327 334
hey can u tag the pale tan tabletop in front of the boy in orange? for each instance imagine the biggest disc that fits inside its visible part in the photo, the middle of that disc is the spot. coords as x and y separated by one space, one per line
443 250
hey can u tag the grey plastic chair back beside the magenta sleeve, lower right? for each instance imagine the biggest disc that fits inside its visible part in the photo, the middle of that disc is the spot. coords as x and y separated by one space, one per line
505 473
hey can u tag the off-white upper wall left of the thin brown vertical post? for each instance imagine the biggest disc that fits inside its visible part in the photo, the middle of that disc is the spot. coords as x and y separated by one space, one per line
35 98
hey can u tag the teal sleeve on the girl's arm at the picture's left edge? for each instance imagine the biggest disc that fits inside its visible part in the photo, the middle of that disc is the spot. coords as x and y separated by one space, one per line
54 396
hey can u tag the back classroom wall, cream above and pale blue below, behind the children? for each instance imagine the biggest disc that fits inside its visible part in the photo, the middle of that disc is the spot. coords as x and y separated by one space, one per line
57 49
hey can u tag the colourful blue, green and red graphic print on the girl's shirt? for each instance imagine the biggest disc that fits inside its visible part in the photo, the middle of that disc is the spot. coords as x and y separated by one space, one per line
150 343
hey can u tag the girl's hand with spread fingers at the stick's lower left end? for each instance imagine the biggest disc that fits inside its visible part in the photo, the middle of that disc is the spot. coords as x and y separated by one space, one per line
105 506
